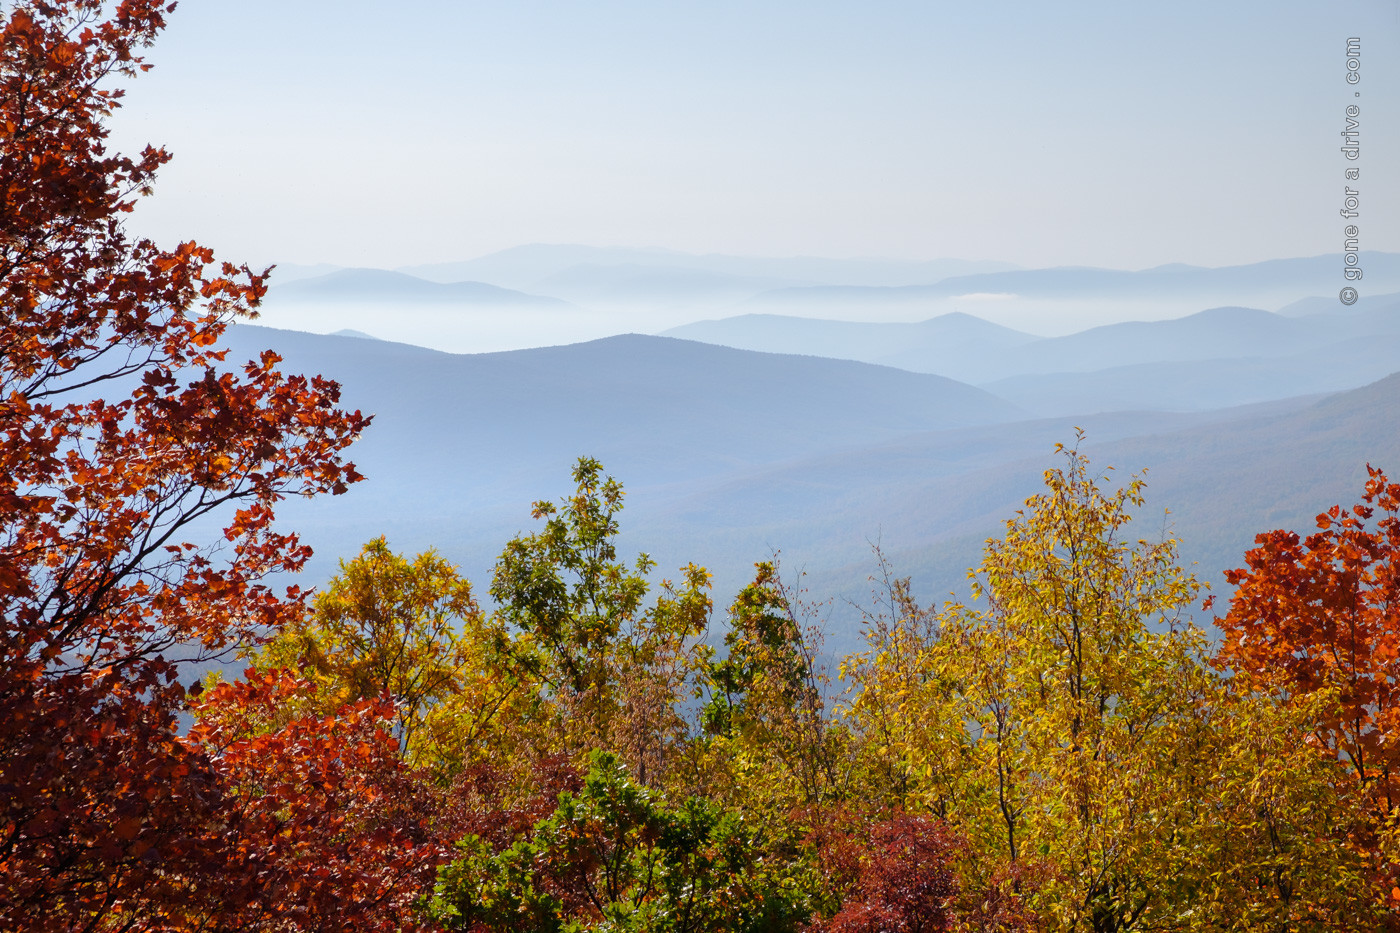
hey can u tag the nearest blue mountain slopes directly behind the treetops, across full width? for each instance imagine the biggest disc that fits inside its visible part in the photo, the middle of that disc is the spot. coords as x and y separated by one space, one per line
730 455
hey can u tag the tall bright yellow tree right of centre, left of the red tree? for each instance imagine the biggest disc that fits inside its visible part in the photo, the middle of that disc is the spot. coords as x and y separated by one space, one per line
1051 726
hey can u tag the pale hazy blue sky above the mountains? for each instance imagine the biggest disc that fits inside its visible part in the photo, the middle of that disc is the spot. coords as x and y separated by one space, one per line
1044 134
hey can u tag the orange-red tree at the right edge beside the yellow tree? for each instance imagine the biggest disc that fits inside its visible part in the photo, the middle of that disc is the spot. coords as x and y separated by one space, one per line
1315 626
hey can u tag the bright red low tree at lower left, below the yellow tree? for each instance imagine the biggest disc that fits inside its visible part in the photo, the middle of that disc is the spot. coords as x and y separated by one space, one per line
323 824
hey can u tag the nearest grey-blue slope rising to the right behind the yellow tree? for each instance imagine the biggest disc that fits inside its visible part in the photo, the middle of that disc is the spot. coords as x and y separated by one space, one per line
932 501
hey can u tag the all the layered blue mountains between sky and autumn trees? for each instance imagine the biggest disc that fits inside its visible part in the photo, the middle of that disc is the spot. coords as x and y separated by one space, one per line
754 432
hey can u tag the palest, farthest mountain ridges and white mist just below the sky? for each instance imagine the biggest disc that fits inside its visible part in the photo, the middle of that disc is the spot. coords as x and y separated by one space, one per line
611 291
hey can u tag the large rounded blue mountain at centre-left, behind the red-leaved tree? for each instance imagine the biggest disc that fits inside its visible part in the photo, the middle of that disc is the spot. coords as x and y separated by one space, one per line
463 445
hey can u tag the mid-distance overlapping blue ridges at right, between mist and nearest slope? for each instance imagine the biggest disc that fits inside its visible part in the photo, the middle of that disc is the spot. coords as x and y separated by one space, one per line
1212 359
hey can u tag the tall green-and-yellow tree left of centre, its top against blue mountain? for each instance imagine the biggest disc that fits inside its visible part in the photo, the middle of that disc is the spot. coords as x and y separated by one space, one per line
611 668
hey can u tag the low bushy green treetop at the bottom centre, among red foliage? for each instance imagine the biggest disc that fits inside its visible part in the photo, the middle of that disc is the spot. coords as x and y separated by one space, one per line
615 857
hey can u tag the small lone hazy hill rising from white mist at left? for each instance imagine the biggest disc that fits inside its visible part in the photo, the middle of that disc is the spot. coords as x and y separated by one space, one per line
380 286
